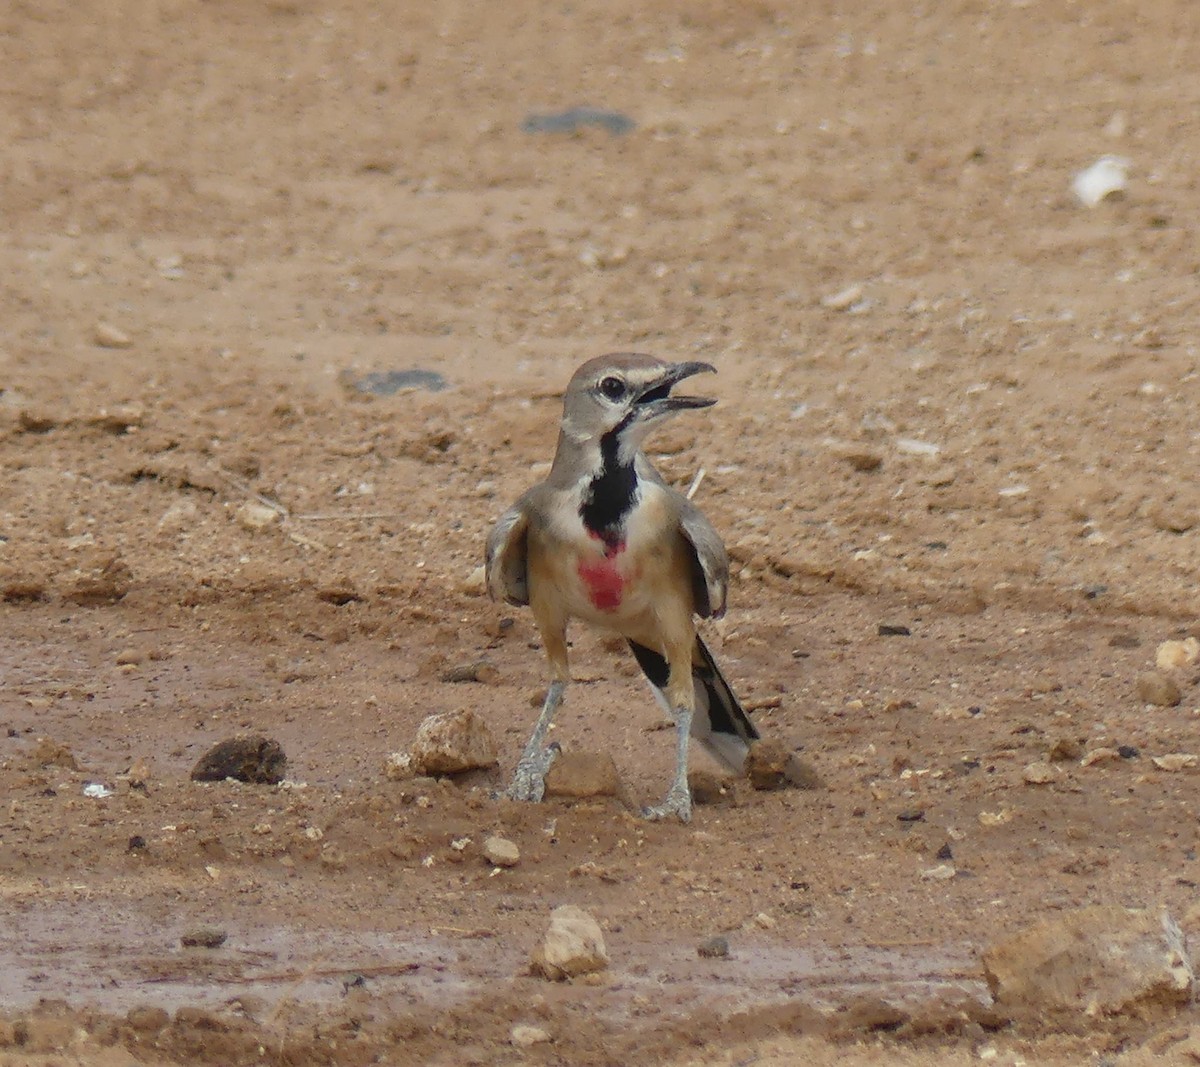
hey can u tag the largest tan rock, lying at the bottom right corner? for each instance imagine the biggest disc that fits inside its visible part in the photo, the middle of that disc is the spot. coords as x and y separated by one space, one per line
1100 961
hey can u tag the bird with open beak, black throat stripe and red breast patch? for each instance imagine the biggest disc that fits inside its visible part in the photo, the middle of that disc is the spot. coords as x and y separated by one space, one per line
605 541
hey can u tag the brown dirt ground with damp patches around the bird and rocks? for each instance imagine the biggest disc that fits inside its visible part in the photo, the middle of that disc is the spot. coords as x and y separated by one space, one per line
952 400
